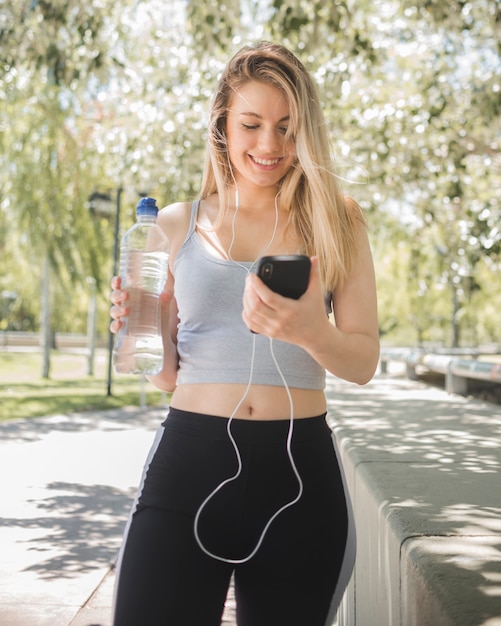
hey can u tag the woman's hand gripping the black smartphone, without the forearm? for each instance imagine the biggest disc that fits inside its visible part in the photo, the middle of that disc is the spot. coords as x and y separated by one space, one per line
268 313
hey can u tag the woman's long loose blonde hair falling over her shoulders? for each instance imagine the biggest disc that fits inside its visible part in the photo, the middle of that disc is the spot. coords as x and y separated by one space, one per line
322 218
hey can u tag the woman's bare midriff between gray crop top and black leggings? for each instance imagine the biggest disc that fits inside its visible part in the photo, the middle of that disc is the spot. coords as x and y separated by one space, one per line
261 402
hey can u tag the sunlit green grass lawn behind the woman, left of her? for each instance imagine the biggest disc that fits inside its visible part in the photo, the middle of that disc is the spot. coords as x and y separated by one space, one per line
24 393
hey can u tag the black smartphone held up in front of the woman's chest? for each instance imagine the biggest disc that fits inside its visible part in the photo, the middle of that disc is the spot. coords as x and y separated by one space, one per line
288 275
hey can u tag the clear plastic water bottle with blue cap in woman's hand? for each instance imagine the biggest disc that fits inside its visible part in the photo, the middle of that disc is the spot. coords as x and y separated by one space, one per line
144 255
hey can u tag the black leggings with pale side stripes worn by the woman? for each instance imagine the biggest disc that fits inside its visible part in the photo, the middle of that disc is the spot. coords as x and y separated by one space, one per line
298 574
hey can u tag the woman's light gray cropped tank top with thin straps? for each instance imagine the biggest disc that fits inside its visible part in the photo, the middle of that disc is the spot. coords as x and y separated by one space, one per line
214 345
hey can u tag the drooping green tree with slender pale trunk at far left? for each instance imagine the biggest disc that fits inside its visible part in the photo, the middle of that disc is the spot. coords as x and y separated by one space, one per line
49 51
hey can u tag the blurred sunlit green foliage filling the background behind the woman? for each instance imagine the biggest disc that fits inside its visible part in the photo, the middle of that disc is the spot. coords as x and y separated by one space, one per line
100 95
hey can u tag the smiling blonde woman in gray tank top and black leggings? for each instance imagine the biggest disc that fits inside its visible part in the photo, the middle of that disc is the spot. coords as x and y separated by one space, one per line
243 478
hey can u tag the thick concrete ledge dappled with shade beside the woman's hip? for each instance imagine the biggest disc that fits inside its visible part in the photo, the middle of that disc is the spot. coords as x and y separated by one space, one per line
424 472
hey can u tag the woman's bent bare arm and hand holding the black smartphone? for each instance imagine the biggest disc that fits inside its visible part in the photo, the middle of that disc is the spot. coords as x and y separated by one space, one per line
349 348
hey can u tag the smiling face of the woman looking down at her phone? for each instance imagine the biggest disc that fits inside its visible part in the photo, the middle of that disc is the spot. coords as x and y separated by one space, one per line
256 127
